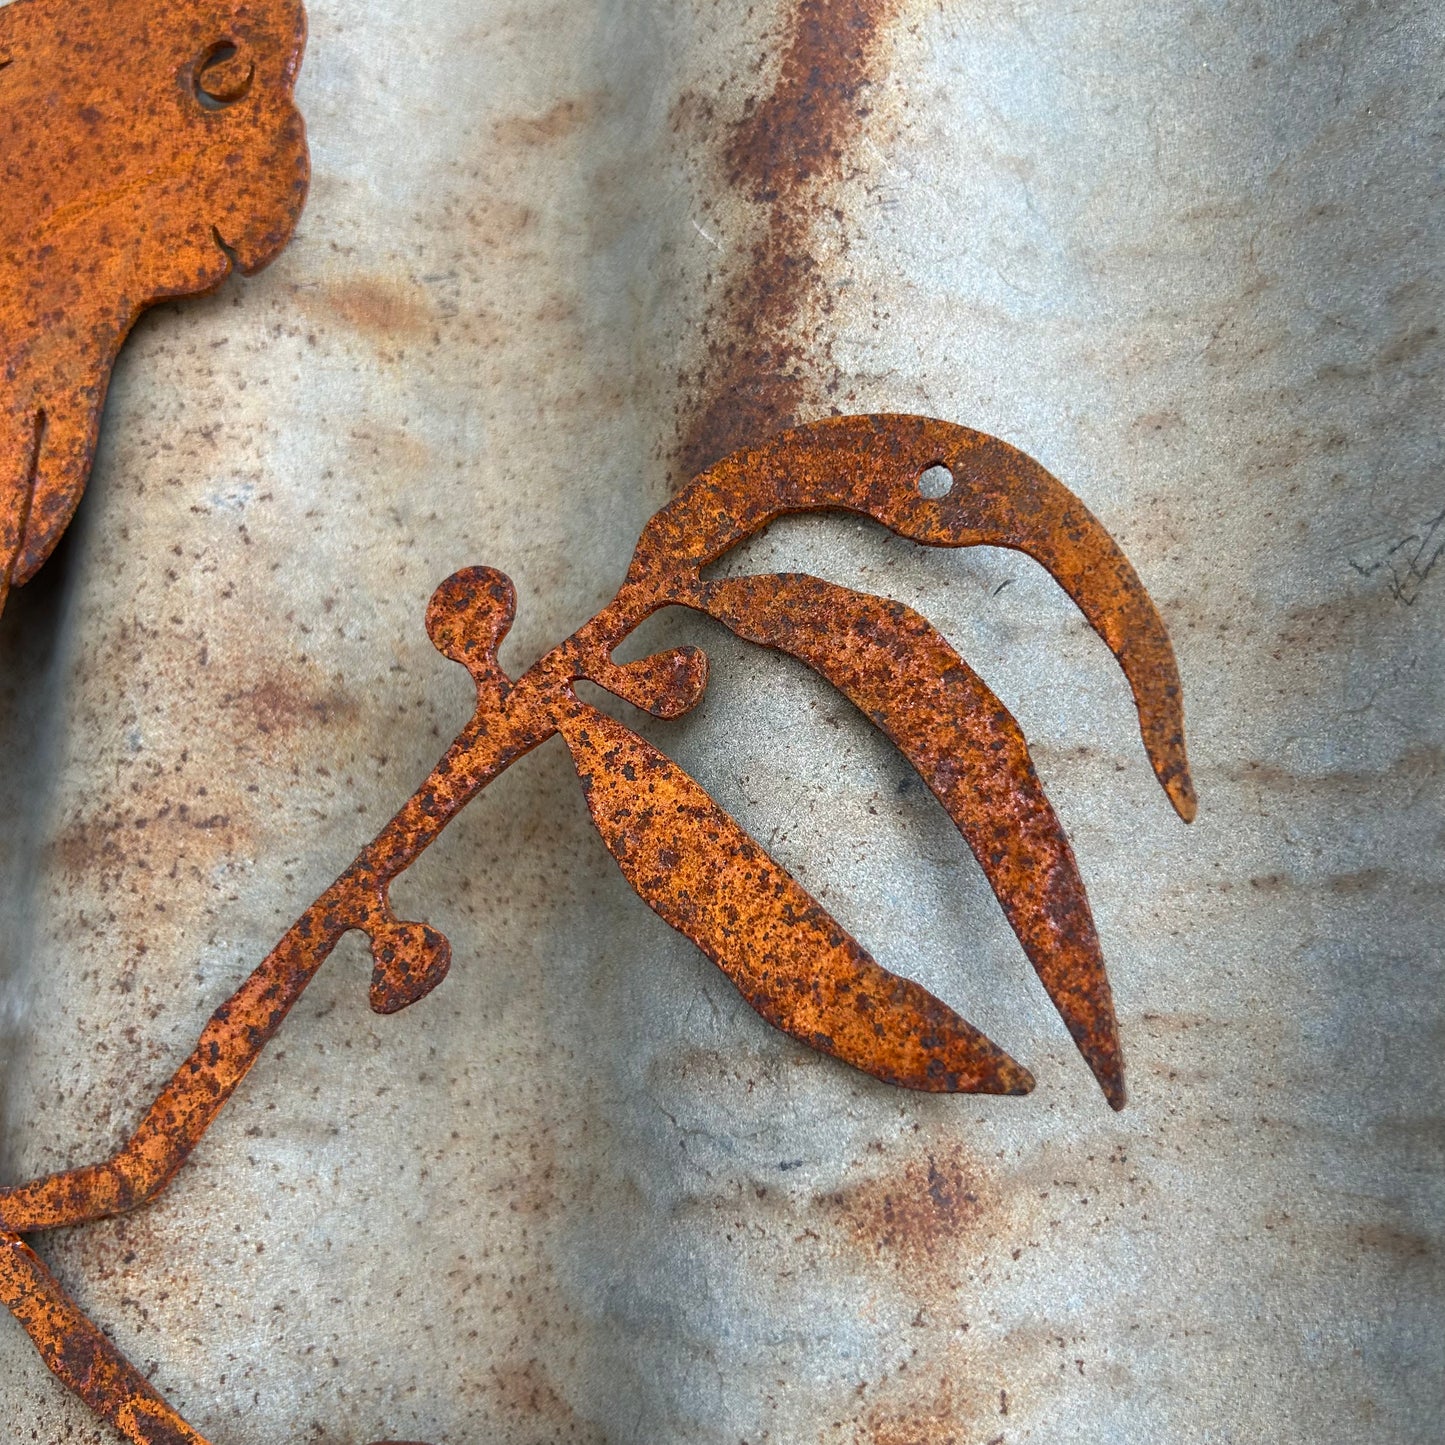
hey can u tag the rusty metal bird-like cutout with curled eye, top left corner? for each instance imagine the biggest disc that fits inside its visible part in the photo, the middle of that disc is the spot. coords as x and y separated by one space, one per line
145 150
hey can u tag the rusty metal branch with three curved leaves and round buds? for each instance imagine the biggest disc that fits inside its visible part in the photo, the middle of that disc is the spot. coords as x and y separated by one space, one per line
684 856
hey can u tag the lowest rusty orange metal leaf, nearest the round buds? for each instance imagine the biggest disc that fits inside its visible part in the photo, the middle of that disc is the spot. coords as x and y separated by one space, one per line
696 868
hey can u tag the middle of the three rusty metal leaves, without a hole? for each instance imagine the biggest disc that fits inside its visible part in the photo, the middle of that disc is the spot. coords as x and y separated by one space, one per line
965 743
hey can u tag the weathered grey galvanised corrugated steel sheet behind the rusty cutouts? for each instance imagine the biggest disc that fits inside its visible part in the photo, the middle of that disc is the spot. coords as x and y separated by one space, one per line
556 258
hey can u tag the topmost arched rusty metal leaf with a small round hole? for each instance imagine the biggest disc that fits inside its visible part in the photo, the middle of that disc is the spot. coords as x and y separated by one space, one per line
1001 498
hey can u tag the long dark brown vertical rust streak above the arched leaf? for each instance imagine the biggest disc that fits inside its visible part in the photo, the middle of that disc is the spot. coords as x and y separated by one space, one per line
759 369
